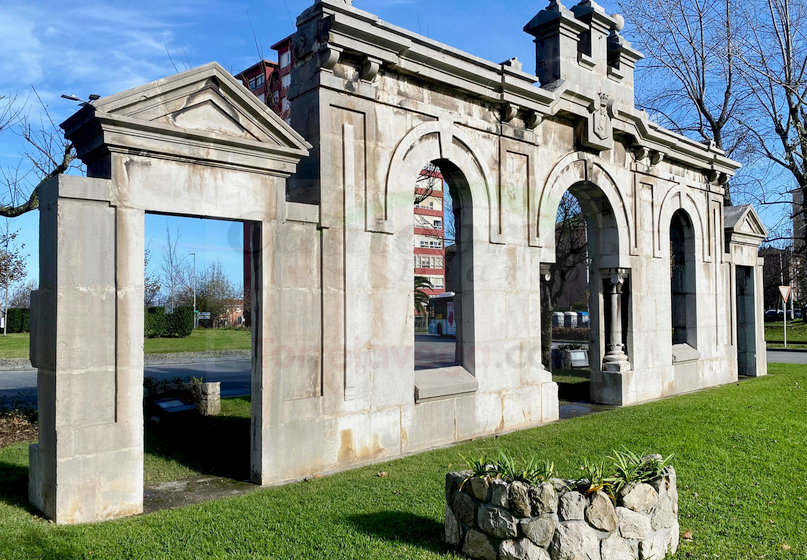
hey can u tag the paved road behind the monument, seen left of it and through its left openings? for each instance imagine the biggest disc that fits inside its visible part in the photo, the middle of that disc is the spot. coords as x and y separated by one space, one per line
234 374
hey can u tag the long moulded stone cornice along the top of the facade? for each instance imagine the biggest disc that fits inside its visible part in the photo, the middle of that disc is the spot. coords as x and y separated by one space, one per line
361 34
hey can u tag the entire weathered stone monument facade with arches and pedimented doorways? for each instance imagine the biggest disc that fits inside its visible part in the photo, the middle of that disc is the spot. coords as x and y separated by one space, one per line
328 203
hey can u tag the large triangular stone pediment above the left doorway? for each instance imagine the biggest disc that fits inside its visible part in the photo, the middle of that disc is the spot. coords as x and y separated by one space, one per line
205 101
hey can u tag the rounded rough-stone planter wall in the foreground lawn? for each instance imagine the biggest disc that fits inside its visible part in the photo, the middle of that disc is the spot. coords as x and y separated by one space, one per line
491 519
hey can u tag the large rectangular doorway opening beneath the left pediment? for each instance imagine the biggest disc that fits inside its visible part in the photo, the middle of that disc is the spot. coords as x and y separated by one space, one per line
197 366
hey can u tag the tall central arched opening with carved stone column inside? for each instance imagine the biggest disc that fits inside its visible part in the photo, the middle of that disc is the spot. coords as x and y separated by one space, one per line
585 297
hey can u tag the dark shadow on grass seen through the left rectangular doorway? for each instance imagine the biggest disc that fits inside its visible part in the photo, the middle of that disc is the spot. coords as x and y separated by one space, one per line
212 445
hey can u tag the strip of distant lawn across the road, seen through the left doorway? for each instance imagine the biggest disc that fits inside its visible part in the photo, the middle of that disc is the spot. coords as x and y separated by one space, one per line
201 340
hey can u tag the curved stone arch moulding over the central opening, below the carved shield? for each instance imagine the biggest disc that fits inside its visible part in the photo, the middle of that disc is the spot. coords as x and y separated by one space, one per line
576 170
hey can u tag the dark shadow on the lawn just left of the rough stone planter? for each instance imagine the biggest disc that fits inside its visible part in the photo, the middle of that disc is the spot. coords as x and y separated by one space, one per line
404 527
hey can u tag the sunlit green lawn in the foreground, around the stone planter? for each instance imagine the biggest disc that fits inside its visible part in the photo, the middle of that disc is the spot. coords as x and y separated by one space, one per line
739 451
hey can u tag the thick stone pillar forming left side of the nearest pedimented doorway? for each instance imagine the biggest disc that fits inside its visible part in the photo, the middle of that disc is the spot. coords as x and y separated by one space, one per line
87 344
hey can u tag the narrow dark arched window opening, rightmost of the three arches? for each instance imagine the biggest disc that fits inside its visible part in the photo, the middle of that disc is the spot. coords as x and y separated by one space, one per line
682 280
